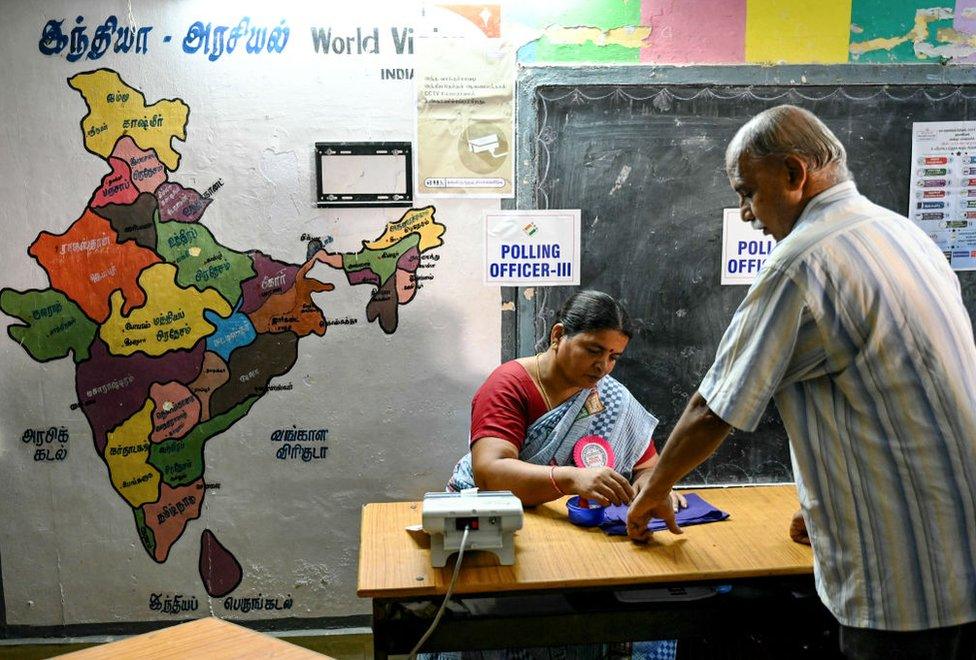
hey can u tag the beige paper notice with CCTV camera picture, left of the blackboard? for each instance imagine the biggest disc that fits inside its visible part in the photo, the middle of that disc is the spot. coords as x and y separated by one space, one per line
465 124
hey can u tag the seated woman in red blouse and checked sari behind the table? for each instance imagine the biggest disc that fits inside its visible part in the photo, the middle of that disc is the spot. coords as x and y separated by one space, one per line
539 424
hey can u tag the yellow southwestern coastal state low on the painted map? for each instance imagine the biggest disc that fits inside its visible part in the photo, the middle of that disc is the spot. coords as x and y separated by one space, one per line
126 453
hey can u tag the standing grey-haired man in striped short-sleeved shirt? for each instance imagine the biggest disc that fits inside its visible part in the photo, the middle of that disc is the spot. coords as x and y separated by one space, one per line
857 329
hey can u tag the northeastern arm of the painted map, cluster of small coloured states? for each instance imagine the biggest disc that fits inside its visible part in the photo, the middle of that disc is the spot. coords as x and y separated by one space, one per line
390 264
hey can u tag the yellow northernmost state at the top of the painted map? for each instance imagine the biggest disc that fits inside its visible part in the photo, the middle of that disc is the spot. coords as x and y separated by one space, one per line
115 109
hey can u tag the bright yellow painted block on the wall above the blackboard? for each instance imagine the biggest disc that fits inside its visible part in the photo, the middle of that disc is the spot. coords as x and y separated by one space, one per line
797 31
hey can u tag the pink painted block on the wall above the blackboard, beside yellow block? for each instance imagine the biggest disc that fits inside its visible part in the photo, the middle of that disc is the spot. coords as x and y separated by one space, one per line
701 32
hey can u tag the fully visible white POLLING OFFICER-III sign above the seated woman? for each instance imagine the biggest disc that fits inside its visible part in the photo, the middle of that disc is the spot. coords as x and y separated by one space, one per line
532 248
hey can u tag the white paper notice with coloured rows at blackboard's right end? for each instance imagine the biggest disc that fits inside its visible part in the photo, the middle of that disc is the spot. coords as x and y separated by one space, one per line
942 200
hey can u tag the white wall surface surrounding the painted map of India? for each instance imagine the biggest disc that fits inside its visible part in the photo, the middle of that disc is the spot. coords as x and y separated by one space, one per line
396 405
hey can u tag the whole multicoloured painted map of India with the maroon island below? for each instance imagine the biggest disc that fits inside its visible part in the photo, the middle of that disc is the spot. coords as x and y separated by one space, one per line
174 336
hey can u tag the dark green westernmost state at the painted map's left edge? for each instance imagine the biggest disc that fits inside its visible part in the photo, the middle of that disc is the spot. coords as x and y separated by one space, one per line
55 326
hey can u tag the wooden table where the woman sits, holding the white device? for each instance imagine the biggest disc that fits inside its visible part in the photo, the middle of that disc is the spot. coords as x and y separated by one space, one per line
571 585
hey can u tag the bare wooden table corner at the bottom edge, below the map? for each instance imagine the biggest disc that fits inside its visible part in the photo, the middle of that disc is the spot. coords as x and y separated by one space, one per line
209 638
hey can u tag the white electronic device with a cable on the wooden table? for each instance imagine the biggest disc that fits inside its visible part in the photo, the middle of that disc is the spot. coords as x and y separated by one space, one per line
490 516
